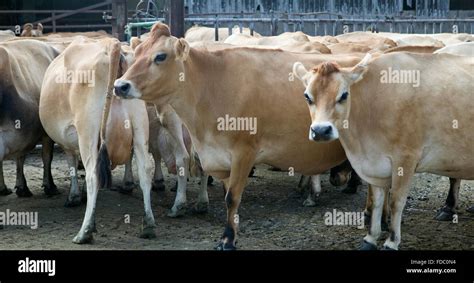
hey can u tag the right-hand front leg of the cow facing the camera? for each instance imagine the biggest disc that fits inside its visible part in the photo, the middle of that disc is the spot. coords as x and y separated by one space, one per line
398 199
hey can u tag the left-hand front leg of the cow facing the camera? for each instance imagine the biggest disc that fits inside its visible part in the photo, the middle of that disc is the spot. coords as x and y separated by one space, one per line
377 195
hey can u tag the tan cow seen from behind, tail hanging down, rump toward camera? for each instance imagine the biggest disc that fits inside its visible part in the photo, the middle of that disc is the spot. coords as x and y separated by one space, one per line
83 118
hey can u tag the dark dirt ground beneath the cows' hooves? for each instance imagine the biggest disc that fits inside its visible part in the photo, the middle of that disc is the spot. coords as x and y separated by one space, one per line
271 215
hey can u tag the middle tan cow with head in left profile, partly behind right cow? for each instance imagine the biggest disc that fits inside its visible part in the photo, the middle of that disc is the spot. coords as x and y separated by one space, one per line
212 90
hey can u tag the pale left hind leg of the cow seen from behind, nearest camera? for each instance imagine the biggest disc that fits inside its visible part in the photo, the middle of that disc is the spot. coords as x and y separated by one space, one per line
88 147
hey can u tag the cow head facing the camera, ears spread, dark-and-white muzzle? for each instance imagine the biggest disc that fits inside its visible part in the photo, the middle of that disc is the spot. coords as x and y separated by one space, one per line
328 96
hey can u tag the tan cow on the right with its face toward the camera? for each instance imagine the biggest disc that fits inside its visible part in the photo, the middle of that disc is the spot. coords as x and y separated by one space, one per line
391 137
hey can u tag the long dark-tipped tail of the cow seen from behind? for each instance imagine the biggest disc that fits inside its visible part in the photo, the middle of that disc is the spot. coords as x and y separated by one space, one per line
104 173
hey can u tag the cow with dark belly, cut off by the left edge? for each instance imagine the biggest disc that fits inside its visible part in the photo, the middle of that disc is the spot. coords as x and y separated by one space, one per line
22 67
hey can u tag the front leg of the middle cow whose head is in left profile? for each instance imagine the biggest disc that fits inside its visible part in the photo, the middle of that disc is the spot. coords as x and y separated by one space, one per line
240 168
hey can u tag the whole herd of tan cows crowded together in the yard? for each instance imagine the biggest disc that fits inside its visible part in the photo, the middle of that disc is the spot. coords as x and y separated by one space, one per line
382 107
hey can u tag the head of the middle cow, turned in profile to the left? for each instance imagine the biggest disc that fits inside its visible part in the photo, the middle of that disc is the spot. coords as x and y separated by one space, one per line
158 69
